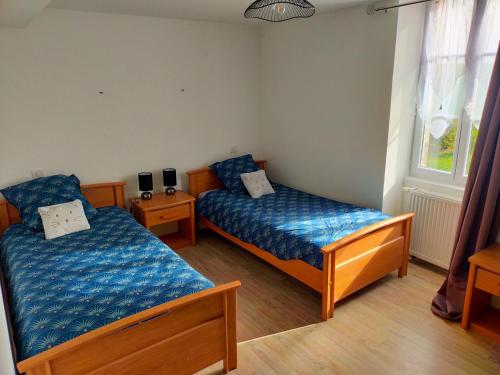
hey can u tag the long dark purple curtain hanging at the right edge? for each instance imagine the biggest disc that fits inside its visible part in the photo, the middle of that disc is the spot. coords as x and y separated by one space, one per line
479 219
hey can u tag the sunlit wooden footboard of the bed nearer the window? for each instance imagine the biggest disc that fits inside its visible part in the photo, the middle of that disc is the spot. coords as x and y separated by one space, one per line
359 259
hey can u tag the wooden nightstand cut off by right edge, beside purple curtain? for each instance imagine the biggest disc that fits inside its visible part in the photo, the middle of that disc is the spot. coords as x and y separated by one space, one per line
483 282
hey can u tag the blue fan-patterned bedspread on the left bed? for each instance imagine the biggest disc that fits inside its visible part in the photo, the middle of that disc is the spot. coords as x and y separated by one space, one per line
65 287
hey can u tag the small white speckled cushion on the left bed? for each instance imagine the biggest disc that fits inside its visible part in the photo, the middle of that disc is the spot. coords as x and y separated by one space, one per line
62 219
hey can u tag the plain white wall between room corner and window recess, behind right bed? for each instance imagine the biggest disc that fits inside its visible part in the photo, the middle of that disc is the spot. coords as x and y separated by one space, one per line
326 95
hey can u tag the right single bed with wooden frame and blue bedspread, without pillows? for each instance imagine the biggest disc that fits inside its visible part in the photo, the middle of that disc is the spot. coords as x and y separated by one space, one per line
333 247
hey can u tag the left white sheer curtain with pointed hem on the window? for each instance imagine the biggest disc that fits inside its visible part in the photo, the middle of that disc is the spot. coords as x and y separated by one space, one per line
442 78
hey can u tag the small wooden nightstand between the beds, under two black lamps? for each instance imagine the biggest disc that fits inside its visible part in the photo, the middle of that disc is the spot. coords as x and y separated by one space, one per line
163 209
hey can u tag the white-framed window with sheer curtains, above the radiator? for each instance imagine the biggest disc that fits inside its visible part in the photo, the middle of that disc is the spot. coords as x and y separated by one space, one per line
460 43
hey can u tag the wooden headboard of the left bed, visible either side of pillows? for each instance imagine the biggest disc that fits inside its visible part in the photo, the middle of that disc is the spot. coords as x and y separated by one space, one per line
99 195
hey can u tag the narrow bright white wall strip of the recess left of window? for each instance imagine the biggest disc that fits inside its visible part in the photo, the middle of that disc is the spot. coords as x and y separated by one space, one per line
410 28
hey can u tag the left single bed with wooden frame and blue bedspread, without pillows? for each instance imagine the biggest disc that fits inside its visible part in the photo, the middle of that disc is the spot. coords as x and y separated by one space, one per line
112 299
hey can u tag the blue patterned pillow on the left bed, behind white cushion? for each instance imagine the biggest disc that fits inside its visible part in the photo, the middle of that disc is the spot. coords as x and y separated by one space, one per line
45 191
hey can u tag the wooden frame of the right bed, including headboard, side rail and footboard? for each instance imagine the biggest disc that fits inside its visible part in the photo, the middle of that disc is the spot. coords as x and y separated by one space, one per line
349 264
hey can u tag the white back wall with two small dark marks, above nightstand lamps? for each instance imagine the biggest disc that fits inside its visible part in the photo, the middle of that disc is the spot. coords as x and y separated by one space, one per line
53 118
